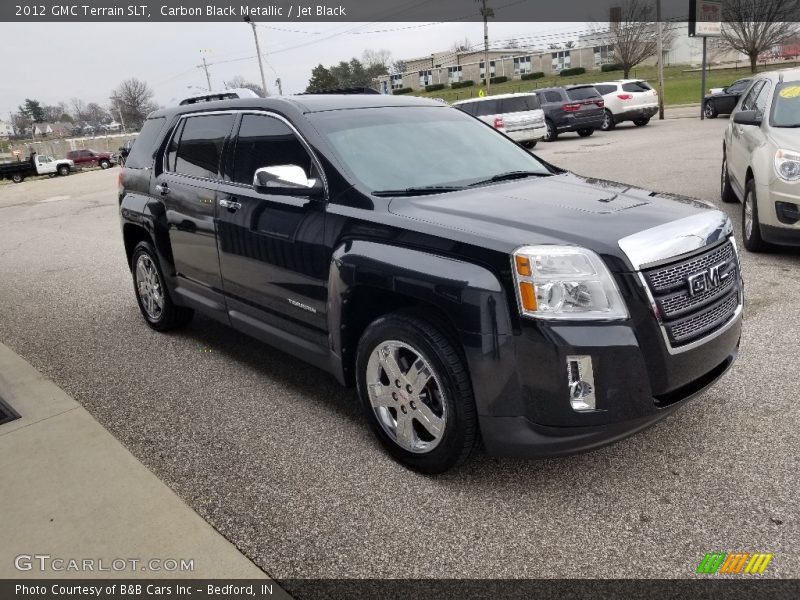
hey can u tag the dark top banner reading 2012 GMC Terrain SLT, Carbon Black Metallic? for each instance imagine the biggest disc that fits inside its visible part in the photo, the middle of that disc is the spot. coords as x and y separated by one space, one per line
379 10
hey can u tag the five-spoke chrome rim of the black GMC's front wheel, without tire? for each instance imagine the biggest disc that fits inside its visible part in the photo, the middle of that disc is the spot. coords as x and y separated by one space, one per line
406 396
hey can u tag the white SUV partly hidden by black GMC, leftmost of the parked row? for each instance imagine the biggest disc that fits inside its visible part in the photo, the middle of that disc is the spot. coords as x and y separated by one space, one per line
519 116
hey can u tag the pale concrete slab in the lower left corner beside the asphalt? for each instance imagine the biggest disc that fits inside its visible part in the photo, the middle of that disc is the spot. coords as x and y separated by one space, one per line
70 490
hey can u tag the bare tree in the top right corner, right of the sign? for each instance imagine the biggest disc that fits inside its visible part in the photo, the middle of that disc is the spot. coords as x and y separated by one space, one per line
753 28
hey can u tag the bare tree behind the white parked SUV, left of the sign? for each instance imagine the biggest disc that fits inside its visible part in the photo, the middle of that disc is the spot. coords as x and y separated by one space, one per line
634 37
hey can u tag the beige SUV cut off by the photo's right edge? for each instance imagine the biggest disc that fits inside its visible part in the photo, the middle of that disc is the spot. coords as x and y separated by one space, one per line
761 160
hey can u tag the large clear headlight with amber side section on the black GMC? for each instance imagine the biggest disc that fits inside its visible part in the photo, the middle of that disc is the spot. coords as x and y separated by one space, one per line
566 283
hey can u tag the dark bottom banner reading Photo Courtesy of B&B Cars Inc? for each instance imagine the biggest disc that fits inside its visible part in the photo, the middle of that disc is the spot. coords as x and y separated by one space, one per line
728 588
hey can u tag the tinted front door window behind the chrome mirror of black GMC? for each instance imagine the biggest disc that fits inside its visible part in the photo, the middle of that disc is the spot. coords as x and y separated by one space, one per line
266 142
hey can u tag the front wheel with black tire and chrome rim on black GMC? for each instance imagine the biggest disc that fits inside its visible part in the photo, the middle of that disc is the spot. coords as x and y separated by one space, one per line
416 392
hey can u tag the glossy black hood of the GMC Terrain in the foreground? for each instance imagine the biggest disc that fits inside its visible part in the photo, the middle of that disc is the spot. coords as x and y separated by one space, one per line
561 209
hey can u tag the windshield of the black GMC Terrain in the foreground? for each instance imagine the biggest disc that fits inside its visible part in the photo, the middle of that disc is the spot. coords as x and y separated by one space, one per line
412 147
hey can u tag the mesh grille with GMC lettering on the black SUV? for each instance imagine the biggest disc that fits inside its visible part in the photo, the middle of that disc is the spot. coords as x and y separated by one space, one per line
686 314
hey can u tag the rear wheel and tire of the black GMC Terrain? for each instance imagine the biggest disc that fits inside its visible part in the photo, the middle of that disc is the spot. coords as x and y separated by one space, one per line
152 295
